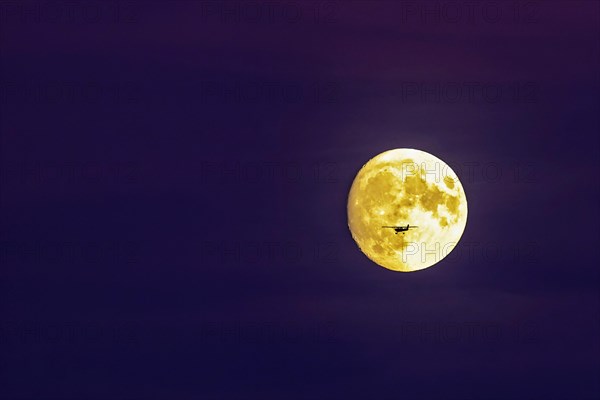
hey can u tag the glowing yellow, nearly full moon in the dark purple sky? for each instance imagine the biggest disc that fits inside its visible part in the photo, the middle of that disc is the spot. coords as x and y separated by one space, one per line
400 188
